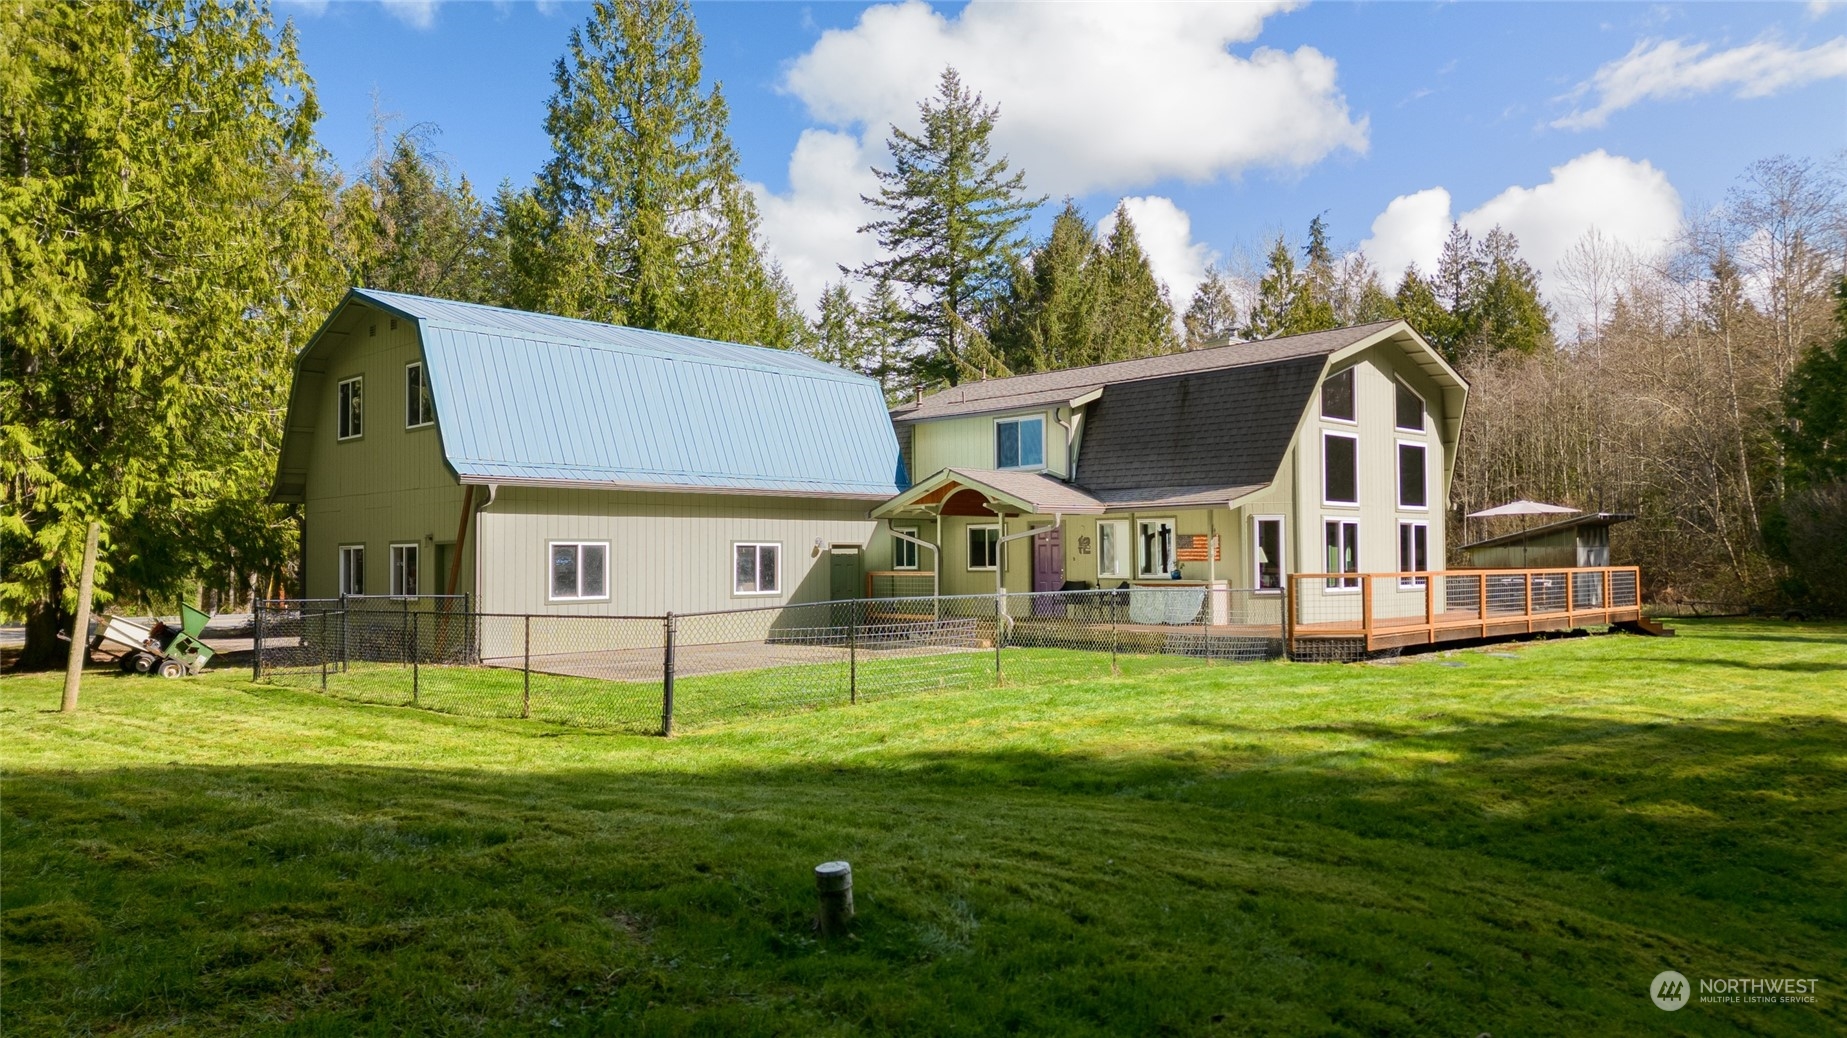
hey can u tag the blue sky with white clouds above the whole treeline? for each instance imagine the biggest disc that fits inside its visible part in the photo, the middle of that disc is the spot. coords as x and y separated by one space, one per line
1222 125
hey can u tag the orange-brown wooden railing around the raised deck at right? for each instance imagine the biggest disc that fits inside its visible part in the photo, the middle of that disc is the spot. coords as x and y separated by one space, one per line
1392 610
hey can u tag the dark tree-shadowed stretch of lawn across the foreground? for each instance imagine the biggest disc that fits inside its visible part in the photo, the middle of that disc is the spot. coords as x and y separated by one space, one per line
1458 875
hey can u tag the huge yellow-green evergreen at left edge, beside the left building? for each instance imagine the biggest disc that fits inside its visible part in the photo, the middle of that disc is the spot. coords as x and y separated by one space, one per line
167 254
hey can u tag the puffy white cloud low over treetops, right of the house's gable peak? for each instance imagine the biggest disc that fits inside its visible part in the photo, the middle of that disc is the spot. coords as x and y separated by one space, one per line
1628 202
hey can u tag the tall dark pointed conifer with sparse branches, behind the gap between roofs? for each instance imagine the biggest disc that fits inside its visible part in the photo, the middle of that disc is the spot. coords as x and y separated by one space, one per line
952 223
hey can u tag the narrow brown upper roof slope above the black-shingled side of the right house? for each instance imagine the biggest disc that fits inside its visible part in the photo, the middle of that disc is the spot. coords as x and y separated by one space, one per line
1057 387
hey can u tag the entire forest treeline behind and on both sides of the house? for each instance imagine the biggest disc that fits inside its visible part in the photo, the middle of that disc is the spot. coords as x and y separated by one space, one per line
173 234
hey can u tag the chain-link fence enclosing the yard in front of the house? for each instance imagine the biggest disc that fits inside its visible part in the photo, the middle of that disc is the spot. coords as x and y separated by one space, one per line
675 671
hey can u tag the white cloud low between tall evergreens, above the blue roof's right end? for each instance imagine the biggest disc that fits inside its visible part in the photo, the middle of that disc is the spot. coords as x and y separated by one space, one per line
815 228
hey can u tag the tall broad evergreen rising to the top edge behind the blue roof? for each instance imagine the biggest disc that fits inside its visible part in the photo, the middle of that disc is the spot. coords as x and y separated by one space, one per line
646 219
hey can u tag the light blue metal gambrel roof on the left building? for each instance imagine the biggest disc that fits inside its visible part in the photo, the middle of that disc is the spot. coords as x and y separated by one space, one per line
531 398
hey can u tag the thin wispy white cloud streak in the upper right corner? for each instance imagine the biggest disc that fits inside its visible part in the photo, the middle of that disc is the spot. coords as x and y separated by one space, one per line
1676 69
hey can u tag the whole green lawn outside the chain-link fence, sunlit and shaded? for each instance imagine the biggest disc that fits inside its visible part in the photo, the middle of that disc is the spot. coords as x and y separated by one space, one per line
1508 843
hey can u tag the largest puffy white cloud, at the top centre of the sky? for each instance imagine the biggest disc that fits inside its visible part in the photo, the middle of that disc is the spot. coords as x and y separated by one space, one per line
1093 95
